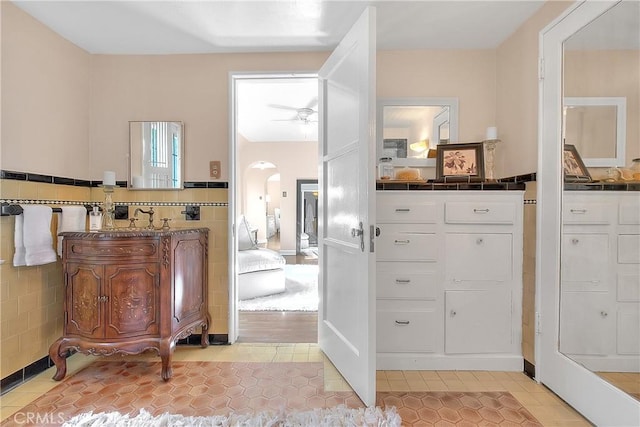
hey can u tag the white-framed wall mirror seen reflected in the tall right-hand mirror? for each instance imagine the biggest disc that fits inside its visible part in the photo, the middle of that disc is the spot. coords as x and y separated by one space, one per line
597 127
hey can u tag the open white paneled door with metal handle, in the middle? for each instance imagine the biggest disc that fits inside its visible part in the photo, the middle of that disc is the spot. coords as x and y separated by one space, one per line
346 315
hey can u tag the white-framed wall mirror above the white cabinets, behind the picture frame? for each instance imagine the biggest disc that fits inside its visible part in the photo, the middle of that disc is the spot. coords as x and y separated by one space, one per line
410 128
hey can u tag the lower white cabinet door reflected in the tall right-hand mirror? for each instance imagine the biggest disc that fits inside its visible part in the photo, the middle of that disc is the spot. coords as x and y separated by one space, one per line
586 324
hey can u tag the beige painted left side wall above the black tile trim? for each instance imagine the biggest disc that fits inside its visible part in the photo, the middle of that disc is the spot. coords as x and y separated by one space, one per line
45 126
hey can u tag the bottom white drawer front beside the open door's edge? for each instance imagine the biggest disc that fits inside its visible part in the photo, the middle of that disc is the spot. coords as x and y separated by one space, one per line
405 331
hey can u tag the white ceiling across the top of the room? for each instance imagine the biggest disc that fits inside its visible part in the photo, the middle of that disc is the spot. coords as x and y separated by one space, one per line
206 26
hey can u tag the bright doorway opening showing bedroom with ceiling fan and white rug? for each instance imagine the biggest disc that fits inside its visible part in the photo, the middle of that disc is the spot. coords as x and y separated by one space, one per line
275 151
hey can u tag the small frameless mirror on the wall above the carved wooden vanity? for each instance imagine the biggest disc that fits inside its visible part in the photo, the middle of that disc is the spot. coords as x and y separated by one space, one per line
156 153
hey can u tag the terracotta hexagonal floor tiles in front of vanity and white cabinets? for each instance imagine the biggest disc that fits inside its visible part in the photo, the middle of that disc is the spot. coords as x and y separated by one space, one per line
207 389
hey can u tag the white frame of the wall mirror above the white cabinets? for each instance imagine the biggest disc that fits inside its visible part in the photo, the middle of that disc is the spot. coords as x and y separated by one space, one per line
450 102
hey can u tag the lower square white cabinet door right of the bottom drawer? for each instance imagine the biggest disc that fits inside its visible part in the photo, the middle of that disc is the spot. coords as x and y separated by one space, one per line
478 321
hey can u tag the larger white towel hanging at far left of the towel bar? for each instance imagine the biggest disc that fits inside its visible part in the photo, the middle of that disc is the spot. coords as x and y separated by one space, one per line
33 241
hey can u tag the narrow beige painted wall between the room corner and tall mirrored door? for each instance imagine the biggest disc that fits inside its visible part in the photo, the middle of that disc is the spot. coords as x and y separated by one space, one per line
517 94
